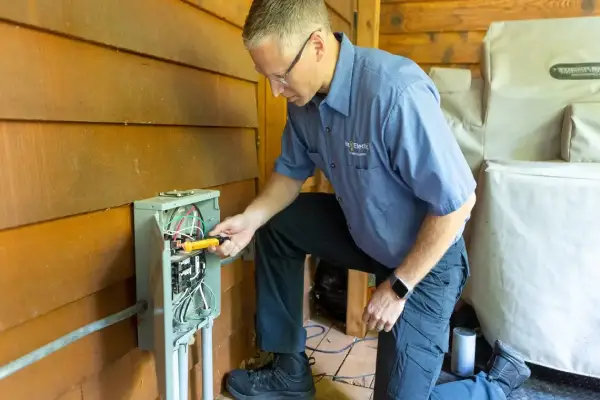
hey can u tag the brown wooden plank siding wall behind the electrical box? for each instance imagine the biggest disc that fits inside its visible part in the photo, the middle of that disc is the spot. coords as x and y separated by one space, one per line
103 103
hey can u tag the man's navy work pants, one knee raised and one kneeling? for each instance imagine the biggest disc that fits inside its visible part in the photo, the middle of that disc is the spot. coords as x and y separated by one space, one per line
410 356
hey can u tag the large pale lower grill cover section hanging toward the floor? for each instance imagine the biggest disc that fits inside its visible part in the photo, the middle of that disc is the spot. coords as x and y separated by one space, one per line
535 261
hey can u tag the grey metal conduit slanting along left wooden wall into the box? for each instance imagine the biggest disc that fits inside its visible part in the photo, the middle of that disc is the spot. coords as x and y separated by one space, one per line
66 340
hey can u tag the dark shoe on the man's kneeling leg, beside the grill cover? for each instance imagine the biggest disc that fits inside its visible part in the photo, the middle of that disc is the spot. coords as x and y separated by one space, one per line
507 368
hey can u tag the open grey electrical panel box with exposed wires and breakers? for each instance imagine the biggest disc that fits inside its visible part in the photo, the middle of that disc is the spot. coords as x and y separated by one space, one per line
182 289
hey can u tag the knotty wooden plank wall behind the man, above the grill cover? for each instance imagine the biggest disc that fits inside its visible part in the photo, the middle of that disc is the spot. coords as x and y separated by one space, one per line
449 32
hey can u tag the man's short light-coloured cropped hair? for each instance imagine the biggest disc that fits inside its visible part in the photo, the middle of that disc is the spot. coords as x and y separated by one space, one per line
289 22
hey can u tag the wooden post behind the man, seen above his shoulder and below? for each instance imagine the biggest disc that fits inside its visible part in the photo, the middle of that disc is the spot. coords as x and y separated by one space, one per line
367 35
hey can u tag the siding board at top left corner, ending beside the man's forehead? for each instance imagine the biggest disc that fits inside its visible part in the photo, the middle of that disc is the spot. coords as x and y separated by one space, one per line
168 30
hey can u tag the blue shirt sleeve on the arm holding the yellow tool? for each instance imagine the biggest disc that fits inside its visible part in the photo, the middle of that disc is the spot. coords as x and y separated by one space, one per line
293 160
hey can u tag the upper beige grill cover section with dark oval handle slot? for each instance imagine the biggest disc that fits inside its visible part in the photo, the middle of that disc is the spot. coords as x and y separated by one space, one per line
529 66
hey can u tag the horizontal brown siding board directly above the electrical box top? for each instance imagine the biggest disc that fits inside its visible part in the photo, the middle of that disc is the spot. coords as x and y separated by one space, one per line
77 168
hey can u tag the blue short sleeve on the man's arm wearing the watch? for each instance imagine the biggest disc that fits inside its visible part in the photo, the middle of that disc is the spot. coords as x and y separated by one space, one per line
425 152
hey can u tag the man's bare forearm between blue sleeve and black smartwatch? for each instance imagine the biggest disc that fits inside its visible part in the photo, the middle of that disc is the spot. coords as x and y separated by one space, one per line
434 239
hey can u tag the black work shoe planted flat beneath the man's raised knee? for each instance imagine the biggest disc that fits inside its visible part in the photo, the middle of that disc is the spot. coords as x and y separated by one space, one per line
288 376
